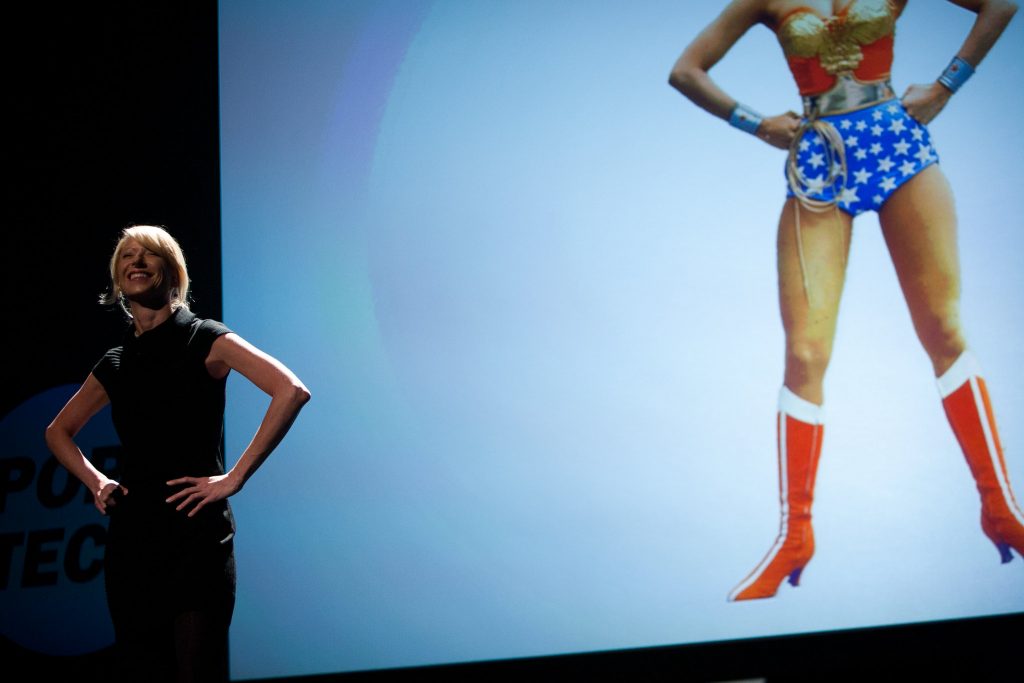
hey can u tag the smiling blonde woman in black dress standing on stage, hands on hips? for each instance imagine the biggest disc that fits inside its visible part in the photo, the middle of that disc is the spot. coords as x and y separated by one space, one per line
169 560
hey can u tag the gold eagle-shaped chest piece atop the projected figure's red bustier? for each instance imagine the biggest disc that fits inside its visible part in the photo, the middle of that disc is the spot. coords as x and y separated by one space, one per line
837 40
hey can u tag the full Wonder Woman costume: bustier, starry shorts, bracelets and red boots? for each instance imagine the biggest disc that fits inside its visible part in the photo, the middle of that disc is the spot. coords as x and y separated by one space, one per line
857 147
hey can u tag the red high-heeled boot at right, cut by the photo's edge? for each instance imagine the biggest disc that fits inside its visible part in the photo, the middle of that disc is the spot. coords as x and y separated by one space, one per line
970 412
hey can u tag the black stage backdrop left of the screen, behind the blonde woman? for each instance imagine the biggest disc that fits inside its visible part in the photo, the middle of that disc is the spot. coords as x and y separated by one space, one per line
115 122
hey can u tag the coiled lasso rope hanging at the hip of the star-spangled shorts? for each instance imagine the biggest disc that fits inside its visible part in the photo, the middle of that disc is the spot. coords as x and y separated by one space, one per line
835 159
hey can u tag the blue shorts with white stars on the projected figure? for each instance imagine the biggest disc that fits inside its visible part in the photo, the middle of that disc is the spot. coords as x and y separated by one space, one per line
885 148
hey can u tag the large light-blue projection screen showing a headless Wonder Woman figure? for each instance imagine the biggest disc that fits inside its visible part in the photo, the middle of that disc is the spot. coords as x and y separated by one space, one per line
537 295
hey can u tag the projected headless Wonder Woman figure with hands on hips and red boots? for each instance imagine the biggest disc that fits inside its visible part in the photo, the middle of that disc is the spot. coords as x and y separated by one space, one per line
858 148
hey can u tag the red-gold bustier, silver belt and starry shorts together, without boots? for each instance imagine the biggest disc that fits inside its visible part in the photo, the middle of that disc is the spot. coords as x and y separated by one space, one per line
858 144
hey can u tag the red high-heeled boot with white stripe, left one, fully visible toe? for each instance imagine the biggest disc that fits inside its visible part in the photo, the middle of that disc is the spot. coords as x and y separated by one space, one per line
800 433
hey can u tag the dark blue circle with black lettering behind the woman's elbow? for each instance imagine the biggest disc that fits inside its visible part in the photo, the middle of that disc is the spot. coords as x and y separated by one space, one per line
52 538
